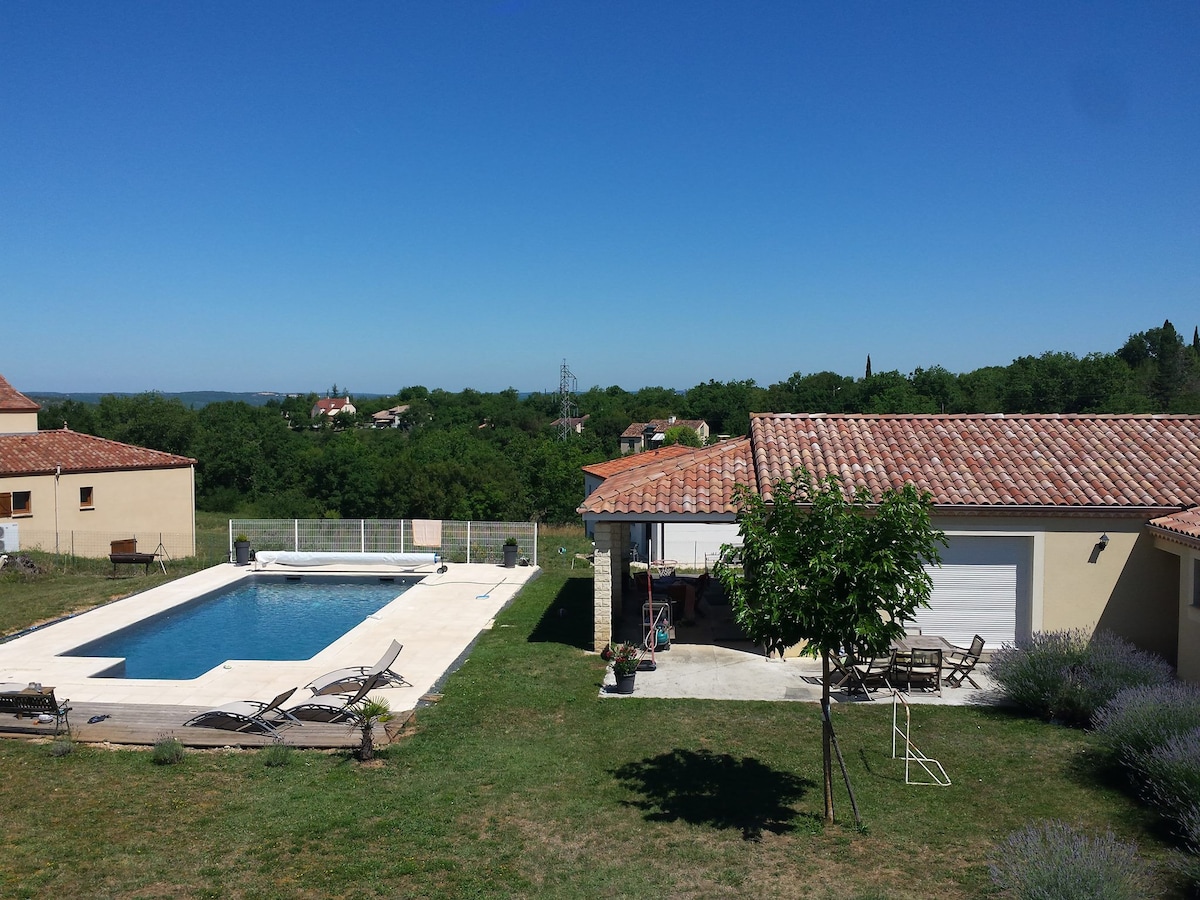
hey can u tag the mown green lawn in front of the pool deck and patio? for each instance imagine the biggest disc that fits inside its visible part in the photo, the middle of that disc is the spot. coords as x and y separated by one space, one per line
524 783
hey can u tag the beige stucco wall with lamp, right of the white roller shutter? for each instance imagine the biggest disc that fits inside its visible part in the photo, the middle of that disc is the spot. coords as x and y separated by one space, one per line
1129 589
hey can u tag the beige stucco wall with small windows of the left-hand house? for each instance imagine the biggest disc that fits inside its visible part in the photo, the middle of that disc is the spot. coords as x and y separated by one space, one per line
143 505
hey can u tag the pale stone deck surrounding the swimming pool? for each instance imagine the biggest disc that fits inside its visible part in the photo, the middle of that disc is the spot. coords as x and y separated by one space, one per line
436 621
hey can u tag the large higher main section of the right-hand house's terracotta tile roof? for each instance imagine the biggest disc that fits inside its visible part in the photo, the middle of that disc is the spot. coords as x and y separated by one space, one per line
1076 461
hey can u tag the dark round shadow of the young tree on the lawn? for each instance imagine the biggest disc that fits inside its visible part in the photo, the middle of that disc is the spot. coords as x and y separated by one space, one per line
703 788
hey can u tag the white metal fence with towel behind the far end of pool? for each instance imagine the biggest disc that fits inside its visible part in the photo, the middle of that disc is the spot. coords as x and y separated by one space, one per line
457 542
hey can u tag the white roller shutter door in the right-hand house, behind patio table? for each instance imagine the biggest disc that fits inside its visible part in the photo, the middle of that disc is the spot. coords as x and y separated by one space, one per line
982 589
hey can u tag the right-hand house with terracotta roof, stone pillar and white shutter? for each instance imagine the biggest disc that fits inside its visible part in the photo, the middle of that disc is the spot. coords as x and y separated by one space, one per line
1054 521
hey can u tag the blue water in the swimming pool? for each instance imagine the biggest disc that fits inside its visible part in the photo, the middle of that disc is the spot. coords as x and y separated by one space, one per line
269 617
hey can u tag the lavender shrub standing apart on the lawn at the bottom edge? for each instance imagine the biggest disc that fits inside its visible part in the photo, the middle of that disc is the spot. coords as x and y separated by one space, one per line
1052 860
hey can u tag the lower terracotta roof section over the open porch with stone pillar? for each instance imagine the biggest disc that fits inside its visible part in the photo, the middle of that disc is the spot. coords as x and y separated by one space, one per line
698 482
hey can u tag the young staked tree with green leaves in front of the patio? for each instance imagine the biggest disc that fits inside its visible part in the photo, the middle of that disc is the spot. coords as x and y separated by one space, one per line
827 572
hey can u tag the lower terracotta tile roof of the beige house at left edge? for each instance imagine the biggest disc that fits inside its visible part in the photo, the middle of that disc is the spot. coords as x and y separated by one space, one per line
40 453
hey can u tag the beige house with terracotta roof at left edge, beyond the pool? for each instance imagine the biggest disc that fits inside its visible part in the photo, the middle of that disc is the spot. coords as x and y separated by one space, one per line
74 494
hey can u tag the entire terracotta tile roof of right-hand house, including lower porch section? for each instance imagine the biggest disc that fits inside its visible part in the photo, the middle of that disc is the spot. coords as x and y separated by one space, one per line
970 463
